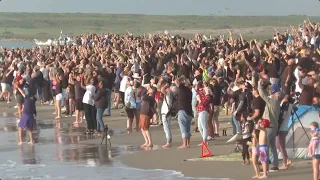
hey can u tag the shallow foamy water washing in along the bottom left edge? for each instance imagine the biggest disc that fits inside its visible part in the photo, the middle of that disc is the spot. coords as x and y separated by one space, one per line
14 171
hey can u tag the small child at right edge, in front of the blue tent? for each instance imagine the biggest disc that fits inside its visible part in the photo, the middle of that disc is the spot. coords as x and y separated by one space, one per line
314 149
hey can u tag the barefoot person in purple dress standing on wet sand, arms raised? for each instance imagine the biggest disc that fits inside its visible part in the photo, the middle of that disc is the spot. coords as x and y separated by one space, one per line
29 111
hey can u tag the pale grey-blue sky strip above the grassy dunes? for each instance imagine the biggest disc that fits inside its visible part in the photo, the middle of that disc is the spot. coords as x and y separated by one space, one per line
167 7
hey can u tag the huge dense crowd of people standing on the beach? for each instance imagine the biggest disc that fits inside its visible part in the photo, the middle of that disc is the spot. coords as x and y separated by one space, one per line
157 78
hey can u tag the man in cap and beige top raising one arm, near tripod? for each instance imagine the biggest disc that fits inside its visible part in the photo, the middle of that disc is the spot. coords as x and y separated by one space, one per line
271 113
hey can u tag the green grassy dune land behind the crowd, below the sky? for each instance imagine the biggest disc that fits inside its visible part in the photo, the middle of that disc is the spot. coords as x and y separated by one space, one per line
44 25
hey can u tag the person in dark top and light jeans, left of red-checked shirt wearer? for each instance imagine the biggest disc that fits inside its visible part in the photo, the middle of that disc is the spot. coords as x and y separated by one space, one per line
185 114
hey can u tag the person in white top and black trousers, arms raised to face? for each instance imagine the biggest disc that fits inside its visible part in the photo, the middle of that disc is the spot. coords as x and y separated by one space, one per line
88 105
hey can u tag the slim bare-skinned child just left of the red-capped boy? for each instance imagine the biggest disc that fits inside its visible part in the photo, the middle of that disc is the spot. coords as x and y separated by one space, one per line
255 152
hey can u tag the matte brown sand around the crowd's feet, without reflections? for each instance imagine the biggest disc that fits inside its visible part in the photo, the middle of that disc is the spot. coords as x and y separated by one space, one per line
173 159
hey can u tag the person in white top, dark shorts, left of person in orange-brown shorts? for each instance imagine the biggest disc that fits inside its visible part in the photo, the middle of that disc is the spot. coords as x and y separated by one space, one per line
130 104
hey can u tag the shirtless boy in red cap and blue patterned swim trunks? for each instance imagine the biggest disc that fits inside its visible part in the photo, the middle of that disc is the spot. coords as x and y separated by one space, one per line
263 148
